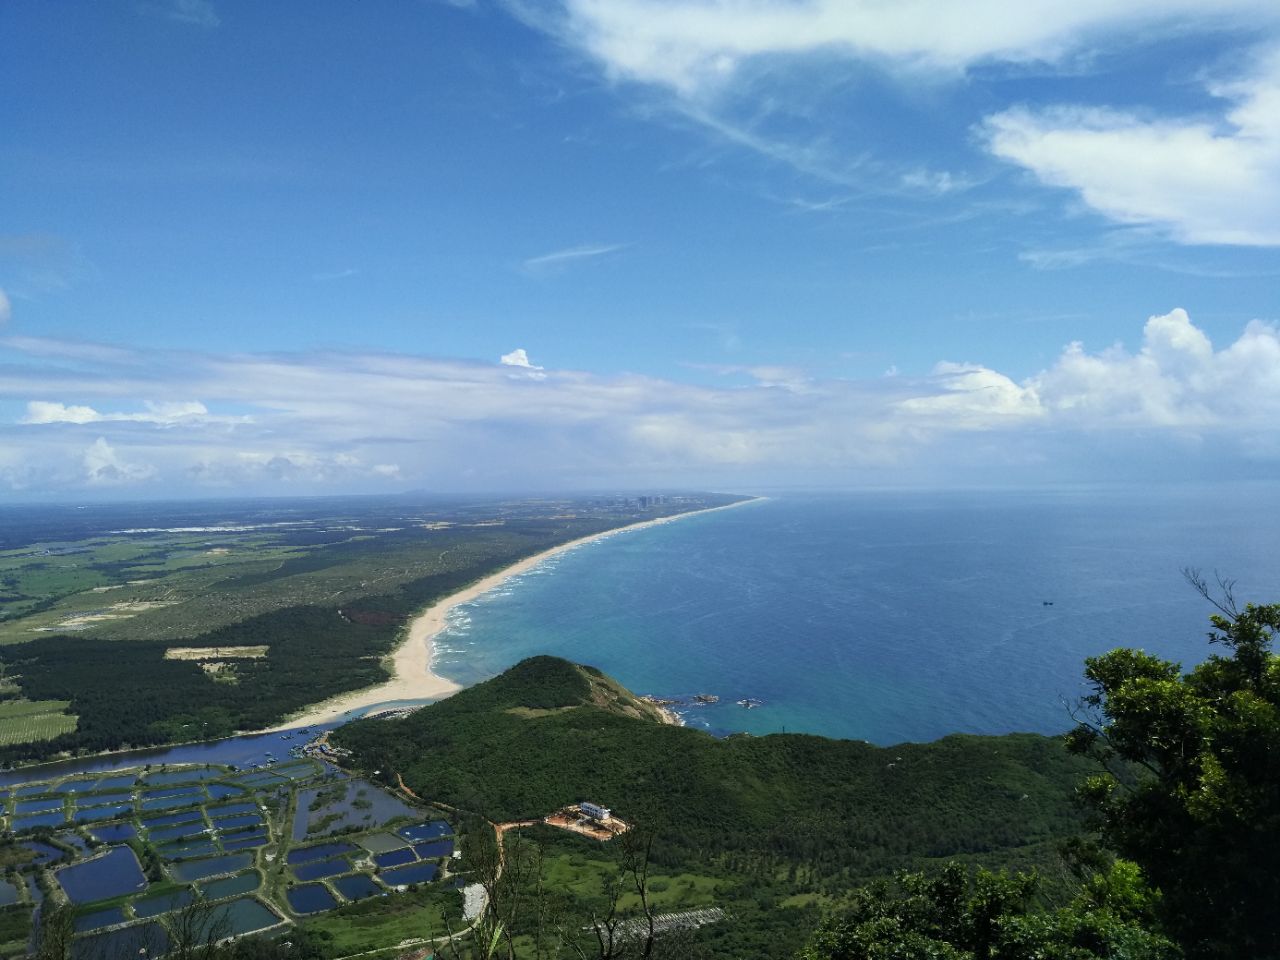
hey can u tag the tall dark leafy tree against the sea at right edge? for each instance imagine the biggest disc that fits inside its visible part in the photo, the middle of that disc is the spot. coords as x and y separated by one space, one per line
1192 784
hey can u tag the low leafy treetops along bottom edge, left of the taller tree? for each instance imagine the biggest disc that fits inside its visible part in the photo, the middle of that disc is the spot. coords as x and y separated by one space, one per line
950 916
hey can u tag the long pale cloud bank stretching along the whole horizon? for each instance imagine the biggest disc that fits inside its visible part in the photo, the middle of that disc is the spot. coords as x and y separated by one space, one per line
149 422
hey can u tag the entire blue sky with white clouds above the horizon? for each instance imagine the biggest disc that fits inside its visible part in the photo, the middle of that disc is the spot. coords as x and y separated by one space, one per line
583 245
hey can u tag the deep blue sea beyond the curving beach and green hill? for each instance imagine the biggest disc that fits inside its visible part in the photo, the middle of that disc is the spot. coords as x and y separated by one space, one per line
884 618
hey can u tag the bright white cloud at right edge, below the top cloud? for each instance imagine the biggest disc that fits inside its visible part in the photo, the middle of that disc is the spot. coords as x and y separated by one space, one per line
1204 181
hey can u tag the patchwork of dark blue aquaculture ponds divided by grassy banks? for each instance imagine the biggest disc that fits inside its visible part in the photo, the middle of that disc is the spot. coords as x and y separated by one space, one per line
216 835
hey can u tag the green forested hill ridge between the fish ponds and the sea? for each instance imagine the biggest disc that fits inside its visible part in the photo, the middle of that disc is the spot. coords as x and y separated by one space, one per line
545 735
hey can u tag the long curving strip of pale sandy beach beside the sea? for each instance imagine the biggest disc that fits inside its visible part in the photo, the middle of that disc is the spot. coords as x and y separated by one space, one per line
413 678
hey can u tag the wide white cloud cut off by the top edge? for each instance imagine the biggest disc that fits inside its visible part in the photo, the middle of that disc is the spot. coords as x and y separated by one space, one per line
698 47
